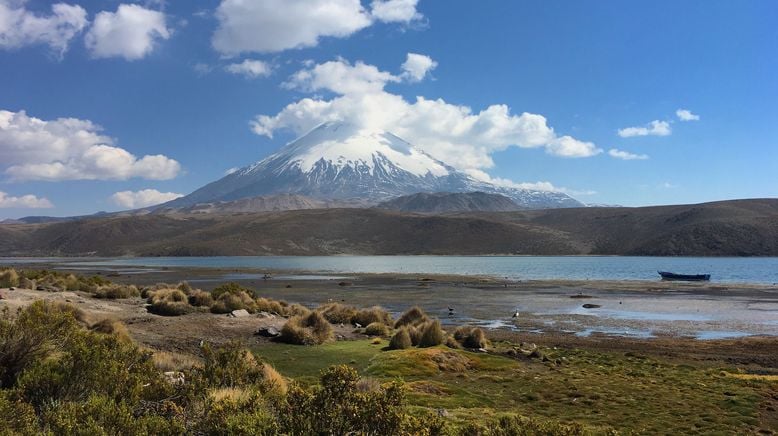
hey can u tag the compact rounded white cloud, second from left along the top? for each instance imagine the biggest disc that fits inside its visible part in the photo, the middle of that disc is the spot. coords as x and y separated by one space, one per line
131 32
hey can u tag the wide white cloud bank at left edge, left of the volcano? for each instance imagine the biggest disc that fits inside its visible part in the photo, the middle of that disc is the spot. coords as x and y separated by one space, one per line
71 149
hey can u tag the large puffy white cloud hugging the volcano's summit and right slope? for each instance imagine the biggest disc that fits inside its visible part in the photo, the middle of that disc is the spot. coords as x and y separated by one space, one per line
455 134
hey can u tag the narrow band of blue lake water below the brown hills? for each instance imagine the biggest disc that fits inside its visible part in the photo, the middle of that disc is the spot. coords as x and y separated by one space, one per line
725 270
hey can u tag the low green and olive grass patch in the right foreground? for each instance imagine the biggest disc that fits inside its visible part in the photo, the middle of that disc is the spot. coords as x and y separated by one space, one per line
629 393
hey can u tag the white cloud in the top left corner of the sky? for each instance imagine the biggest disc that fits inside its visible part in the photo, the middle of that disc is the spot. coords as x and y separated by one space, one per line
20 27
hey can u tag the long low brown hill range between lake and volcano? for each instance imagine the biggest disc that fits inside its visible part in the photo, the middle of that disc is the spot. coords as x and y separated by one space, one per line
729 228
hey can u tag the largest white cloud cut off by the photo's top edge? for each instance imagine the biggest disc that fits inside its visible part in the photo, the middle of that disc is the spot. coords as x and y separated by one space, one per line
267 26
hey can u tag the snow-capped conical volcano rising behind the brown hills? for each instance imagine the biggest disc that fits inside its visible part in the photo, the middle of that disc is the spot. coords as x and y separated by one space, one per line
337 160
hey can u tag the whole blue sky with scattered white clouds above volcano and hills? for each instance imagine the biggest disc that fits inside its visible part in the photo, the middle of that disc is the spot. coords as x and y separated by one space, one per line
156 78
